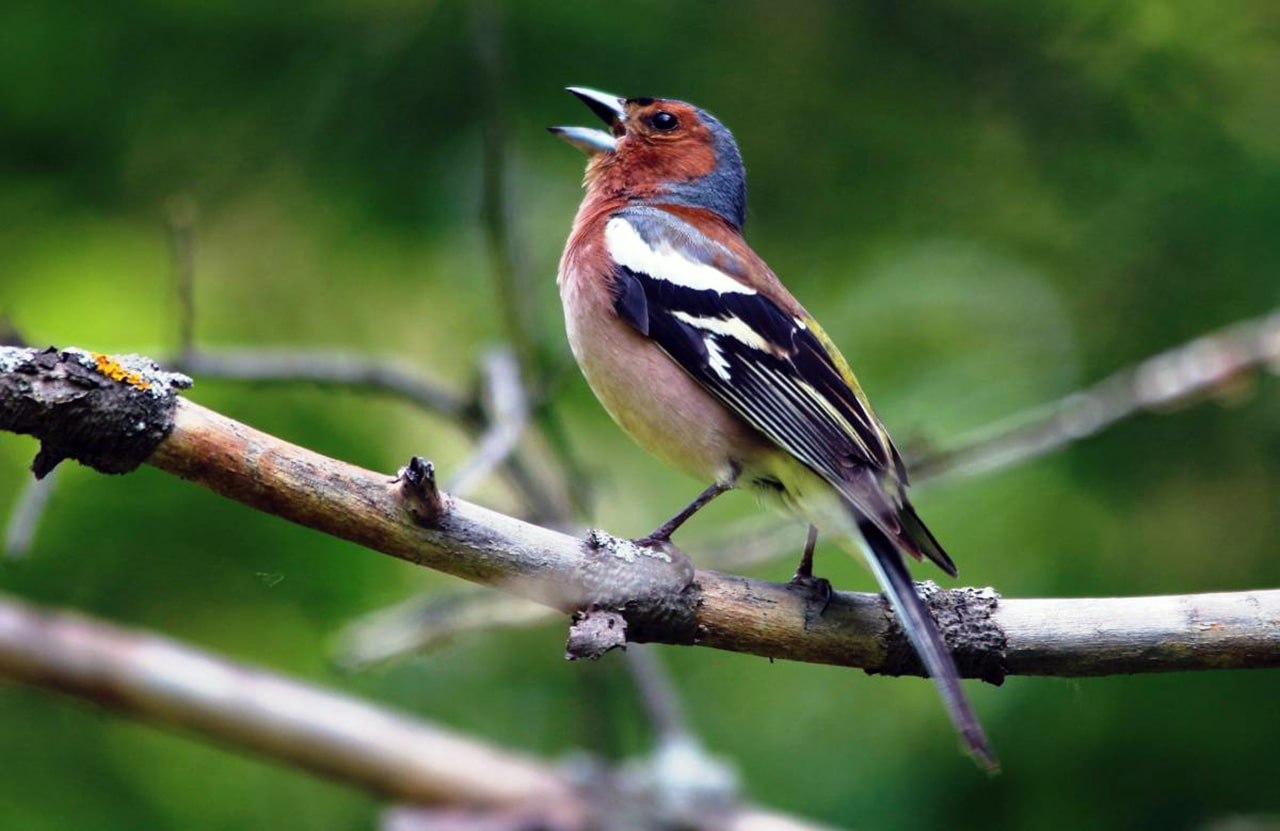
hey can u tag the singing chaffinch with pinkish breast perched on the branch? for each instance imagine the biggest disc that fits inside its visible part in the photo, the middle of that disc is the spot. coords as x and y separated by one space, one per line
705 359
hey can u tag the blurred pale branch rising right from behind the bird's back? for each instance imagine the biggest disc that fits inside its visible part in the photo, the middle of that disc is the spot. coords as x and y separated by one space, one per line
1208 366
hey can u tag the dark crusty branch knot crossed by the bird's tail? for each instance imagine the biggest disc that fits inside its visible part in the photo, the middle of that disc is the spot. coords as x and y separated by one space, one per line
967 620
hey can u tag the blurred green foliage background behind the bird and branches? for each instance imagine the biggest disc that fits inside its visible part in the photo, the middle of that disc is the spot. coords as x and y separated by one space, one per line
989 206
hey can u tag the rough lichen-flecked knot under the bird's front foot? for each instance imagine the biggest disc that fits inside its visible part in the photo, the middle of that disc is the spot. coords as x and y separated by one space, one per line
648 590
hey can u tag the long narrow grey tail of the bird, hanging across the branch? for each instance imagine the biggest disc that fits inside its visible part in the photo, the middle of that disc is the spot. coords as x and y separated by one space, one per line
890 569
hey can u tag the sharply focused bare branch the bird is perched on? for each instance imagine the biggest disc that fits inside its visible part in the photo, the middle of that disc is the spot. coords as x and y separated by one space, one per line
656 591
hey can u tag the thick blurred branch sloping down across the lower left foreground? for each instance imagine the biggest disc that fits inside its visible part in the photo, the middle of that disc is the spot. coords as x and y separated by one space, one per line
342 738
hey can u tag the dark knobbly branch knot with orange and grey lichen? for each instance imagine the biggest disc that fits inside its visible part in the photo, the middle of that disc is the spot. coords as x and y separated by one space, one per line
107 413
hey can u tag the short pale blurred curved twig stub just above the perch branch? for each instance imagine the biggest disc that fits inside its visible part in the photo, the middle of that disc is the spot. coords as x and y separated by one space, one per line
506 412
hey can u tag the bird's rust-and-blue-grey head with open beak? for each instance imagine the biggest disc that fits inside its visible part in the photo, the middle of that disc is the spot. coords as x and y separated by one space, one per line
661 152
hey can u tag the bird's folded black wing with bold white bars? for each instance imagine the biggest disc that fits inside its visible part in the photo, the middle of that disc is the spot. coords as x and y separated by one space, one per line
685 293
